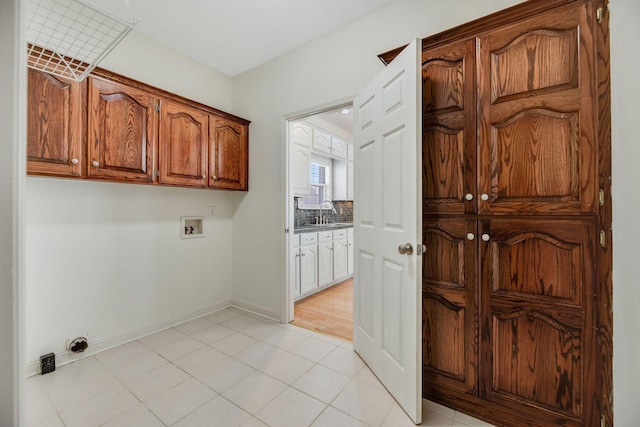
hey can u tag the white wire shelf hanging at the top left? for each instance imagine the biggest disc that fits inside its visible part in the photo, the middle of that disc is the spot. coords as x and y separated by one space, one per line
68 38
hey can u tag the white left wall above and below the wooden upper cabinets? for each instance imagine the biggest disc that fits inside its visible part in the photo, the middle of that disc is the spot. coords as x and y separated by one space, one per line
106 259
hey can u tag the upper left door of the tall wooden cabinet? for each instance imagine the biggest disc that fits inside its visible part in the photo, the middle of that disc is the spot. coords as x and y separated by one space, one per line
448 138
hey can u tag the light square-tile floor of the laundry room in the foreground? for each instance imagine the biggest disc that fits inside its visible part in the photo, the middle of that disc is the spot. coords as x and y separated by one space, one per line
226 369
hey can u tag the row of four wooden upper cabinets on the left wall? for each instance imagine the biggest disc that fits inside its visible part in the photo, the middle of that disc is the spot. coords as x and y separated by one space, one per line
110 127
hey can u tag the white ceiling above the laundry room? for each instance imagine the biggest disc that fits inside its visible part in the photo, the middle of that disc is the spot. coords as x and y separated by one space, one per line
233 36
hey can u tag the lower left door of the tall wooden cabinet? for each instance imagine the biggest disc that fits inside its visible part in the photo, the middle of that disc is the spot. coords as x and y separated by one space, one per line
449 308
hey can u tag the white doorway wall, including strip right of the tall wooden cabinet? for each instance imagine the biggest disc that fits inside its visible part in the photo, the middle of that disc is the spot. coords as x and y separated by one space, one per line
337 66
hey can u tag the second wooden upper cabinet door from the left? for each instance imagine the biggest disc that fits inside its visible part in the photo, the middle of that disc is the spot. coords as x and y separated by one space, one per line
122 123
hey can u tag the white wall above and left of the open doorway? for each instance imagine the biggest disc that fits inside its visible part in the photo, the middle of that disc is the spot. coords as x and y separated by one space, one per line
326 70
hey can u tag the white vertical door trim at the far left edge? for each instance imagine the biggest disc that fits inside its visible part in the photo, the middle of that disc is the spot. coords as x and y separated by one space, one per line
12 172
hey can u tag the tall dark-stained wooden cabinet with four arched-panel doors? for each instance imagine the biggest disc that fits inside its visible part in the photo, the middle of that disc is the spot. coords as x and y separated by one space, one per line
511 211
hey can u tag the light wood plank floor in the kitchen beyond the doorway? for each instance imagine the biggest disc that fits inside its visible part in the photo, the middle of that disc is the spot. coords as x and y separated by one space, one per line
329 311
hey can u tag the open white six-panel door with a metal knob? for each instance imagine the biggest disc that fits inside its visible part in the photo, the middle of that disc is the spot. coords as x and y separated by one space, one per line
387 227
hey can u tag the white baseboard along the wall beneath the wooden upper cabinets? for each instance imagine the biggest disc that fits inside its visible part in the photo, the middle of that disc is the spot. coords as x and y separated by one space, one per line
66 357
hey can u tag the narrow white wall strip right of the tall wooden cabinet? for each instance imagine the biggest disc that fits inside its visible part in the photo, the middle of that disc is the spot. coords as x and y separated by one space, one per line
625 93
